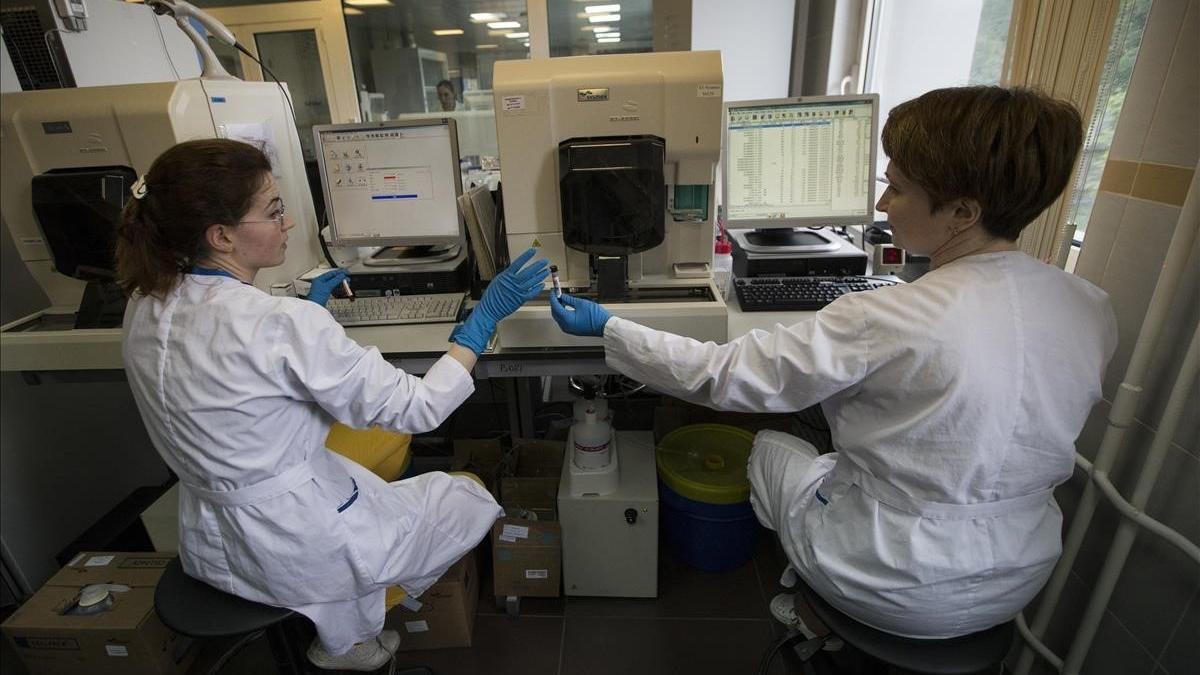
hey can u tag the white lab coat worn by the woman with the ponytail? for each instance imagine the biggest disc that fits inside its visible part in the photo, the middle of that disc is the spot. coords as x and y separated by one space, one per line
238 391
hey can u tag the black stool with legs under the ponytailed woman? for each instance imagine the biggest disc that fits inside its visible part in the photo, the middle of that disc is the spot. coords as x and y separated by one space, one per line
195 610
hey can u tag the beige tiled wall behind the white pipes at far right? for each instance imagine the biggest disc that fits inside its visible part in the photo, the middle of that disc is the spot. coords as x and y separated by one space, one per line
1153 624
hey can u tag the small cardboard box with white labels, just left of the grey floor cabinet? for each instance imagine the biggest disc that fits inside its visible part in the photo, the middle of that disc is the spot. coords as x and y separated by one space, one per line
527 558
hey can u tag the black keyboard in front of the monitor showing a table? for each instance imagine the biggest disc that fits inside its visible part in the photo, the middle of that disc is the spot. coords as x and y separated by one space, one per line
799 294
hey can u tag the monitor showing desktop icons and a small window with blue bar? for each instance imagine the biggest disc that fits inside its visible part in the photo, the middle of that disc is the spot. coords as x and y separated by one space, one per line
393 183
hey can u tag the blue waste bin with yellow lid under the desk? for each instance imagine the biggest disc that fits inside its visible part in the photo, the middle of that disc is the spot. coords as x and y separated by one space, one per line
705 497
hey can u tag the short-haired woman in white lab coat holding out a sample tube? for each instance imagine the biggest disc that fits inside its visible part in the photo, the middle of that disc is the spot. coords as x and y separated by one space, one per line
953 402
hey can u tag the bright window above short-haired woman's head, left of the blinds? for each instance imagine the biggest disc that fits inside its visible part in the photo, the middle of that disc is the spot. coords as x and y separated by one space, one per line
915 46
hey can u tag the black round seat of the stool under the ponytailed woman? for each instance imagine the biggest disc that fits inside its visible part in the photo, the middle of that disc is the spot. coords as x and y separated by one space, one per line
195 610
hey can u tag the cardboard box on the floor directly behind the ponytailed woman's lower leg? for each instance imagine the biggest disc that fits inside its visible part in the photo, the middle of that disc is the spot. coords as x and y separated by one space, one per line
445 616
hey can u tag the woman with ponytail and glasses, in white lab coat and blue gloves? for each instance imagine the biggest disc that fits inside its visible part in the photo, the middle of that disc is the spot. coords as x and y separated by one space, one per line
238 391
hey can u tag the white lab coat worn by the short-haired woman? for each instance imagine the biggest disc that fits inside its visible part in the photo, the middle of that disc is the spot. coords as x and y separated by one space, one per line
953 403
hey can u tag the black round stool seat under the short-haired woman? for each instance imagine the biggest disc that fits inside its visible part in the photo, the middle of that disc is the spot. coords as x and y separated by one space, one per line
953 656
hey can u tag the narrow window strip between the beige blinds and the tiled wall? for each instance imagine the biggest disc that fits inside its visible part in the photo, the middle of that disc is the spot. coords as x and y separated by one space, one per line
1119 64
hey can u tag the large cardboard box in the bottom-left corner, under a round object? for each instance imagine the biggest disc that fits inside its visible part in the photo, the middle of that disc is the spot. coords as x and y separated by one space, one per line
127 638
